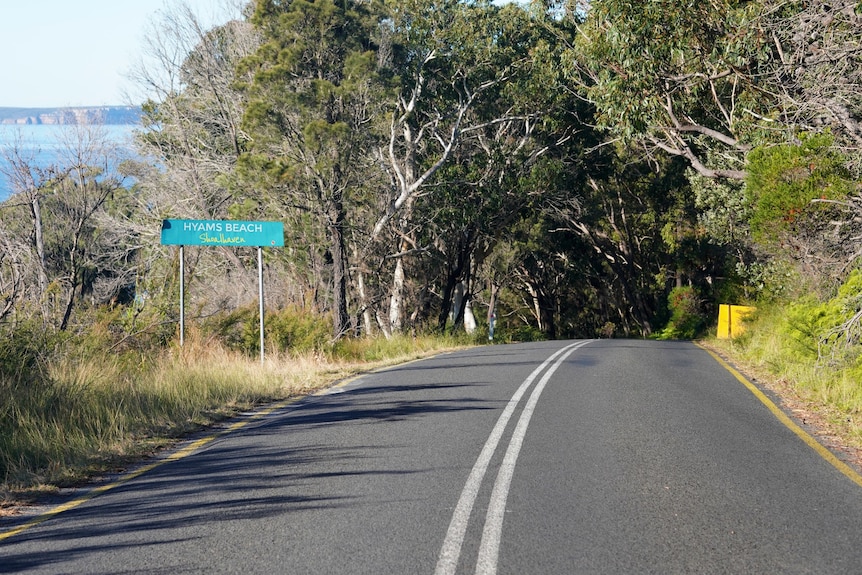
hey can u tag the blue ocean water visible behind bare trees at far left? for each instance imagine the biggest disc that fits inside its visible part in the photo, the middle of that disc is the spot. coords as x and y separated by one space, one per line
43 144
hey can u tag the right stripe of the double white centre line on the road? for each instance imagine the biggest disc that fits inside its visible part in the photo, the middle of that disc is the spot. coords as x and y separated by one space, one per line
489 549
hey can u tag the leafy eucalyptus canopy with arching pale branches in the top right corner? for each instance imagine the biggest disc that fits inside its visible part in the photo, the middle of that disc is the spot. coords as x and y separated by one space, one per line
722 76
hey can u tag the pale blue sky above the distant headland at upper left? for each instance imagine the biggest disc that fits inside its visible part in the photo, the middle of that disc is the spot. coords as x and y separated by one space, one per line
76 52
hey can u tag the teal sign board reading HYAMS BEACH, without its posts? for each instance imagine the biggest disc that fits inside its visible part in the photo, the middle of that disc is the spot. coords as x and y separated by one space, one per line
222 233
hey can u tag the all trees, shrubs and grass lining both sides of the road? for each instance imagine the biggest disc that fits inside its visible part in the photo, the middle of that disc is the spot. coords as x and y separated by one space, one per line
549 169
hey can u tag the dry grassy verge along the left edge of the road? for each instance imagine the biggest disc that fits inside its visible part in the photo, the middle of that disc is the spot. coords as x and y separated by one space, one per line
82 413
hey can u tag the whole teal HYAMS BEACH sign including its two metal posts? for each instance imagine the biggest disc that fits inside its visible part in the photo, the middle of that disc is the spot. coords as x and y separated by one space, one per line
222 233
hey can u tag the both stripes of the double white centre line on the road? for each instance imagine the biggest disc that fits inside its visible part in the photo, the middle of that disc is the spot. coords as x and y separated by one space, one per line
489 548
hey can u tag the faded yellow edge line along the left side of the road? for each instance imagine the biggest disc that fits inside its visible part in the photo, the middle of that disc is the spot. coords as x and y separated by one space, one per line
175 456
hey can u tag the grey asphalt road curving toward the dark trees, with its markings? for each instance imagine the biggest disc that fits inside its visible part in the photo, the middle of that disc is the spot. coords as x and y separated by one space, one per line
606 456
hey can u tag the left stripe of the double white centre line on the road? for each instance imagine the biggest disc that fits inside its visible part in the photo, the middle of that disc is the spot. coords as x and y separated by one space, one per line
447 563
